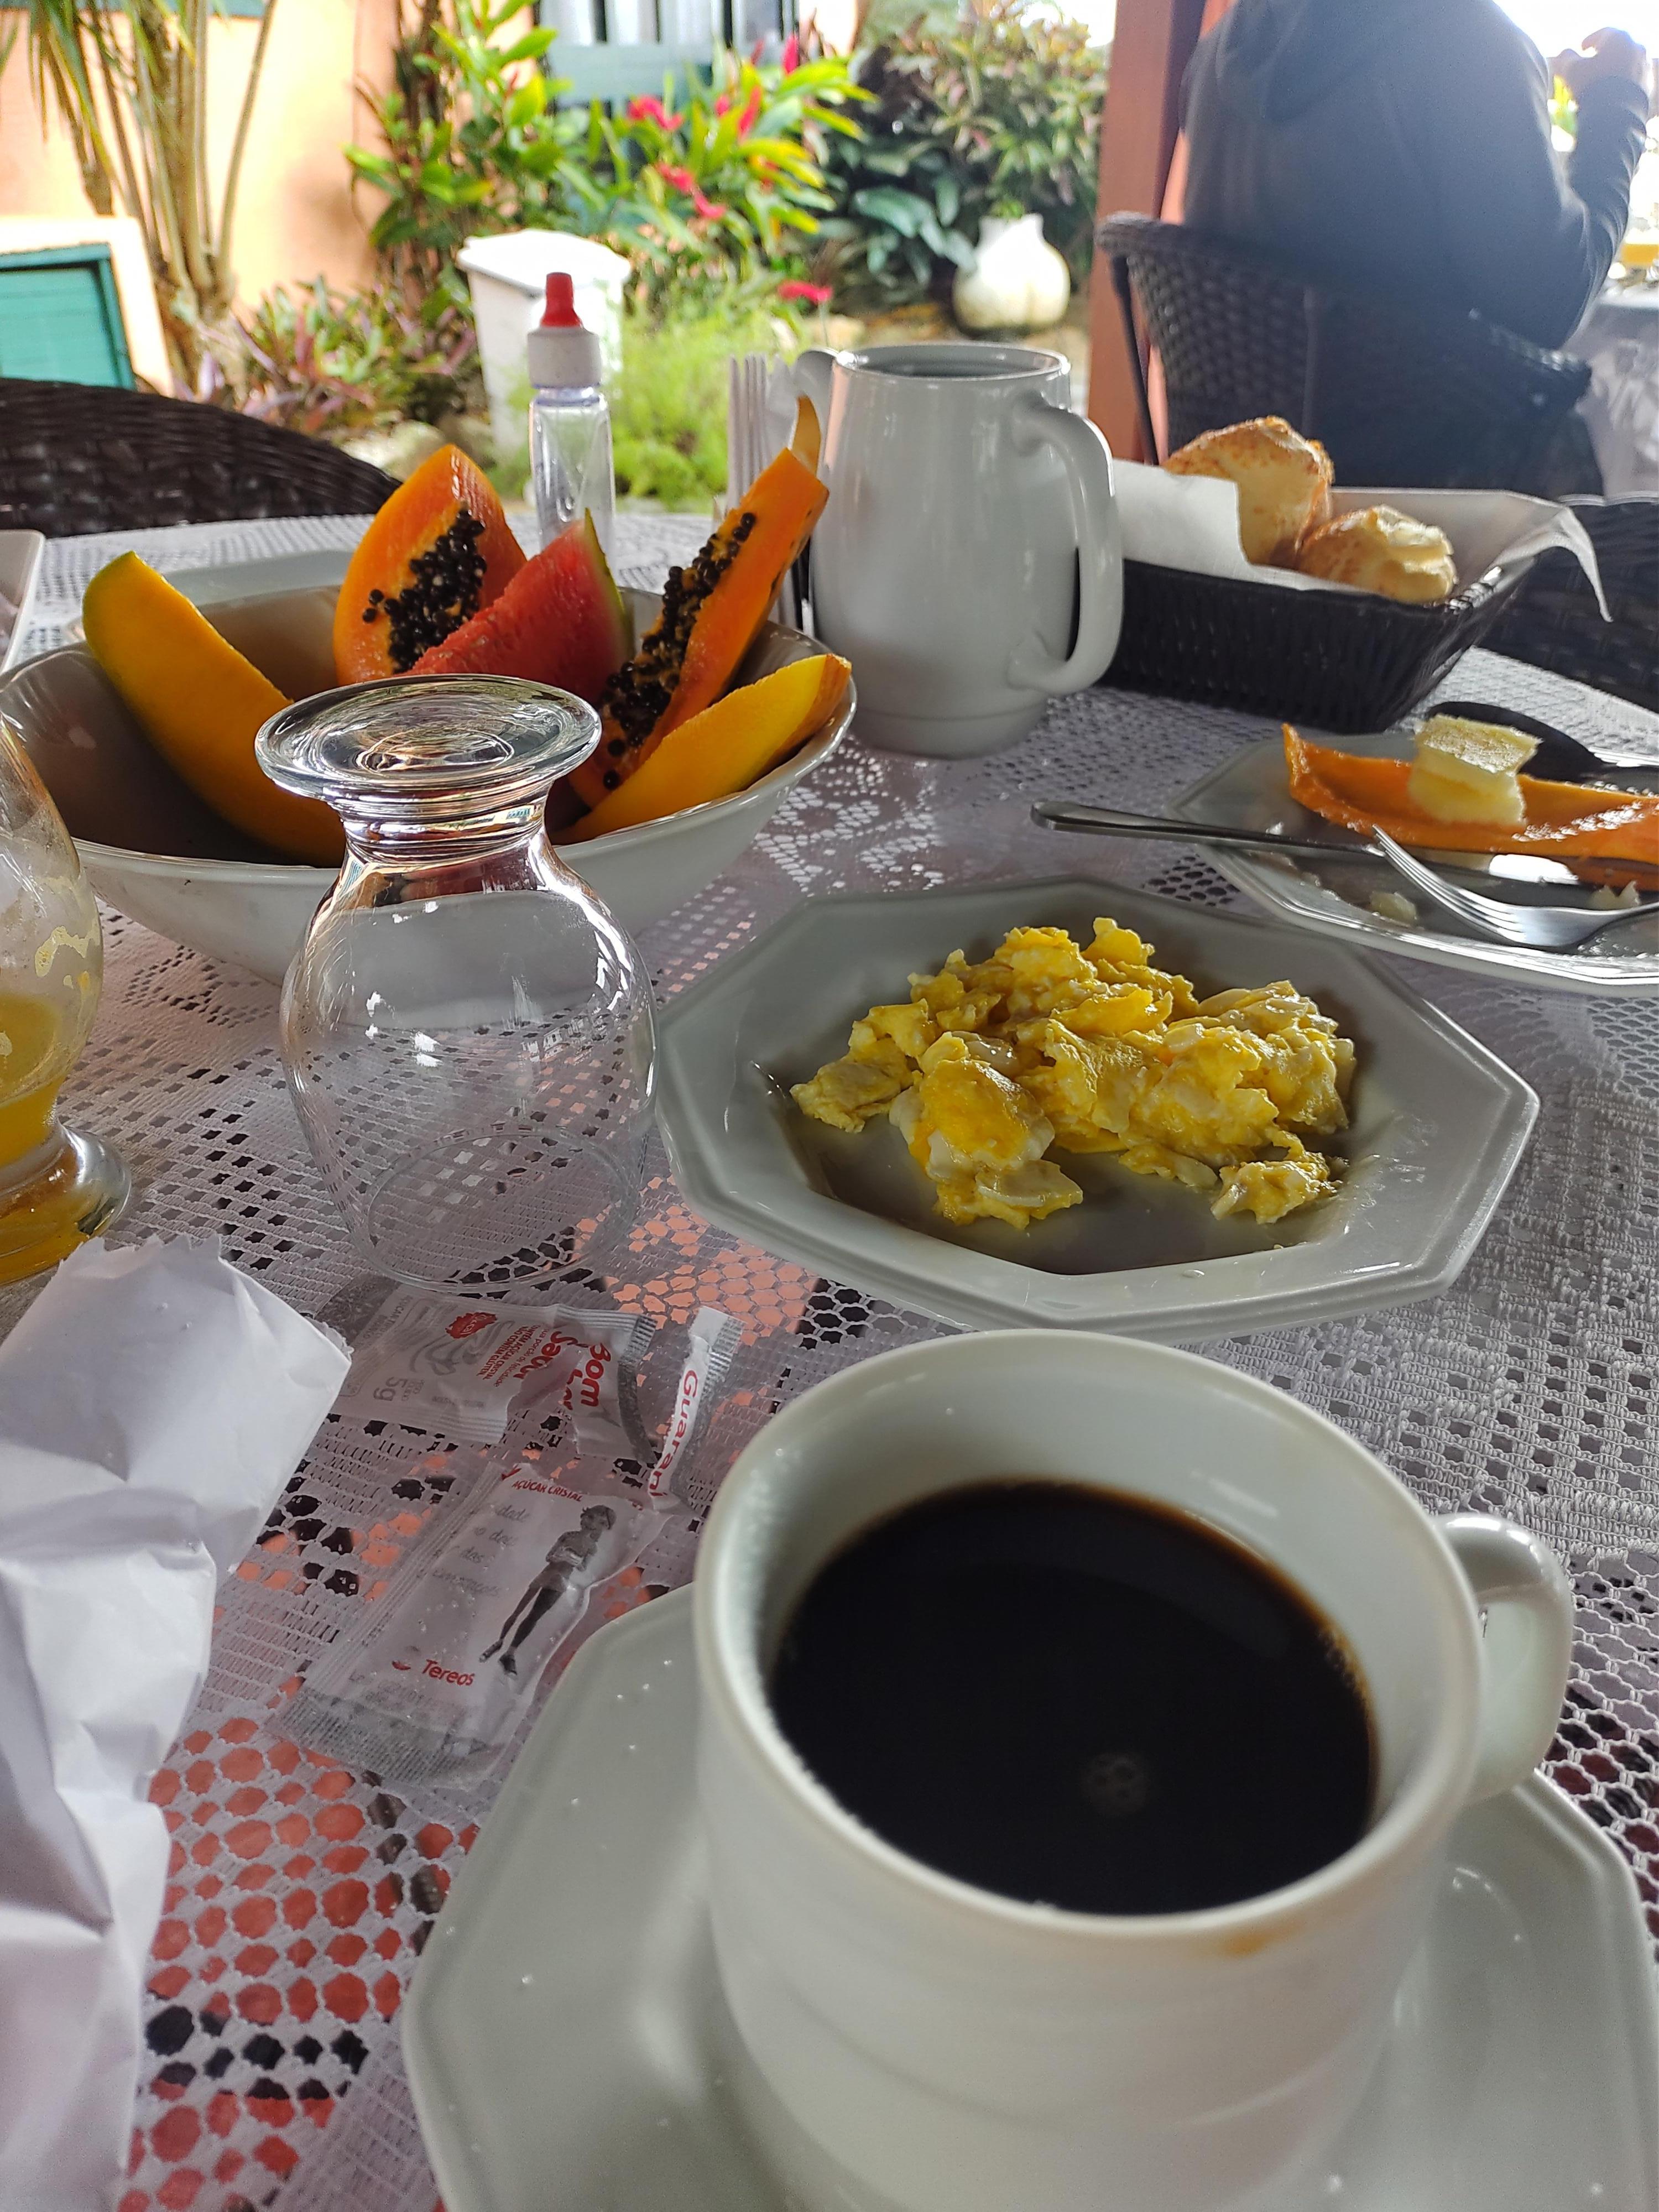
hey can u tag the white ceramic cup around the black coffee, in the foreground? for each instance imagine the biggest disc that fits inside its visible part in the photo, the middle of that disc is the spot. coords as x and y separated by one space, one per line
921 2045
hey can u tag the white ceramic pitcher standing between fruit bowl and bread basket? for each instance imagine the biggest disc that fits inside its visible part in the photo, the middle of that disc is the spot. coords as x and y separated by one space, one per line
970 510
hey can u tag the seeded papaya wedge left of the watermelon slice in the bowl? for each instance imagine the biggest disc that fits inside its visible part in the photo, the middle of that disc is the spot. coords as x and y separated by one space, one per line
439 550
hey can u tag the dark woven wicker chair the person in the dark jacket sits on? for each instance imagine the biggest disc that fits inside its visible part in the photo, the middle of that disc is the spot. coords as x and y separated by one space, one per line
1399 395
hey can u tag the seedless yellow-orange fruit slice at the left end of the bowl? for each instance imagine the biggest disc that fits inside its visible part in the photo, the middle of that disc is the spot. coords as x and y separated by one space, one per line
200 705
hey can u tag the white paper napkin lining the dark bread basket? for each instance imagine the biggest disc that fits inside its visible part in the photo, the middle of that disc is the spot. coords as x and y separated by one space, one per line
1193 523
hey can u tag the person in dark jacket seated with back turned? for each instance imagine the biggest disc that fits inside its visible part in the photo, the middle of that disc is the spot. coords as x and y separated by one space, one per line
1406 147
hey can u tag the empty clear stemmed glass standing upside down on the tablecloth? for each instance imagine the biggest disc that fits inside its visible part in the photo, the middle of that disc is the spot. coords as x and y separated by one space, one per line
466 1030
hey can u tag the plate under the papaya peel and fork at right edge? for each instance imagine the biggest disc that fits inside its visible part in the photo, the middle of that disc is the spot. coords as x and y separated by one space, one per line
1335 897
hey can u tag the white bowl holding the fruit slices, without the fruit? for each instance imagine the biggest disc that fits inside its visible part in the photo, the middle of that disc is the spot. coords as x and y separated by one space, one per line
160 857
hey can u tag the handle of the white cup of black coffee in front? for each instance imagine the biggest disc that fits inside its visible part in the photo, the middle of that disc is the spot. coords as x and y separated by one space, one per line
1525 1651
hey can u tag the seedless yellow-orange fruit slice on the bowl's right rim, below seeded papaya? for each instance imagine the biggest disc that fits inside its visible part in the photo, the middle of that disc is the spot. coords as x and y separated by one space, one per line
727 747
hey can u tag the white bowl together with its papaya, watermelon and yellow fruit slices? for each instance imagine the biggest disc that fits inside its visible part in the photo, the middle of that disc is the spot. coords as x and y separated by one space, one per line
711 711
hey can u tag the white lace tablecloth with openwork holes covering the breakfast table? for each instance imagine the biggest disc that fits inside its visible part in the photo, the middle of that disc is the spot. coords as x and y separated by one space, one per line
304 1892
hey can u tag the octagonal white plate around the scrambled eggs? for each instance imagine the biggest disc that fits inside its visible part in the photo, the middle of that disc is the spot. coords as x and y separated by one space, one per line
1437 1131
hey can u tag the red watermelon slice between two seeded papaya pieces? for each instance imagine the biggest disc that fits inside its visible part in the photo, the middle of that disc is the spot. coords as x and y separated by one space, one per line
559 623
